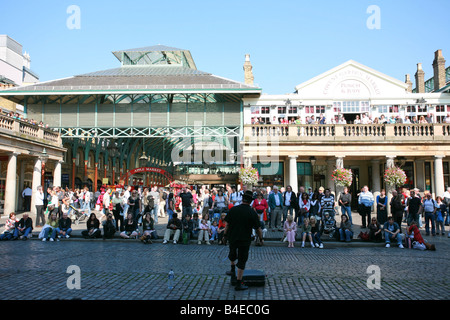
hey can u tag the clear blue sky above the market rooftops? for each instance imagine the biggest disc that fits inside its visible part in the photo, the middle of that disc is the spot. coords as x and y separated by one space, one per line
289 41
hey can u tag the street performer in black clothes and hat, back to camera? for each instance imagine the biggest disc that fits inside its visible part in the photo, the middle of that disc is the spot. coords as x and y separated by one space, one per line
241 220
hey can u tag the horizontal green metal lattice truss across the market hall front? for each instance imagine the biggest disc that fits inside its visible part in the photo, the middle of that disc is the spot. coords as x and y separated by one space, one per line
150 132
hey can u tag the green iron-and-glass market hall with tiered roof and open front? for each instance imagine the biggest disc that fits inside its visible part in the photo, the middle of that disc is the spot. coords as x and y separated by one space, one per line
155 110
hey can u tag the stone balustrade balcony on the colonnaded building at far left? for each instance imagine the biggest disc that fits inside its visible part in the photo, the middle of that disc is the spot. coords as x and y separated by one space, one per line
25 130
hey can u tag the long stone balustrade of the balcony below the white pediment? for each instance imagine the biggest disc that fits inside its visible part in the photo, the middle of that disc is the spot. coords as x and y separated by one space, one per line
349 133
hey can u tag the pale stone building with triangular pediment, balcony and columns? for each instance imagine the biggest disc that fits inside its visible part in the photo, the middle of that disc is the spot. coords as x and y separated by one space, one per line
345 105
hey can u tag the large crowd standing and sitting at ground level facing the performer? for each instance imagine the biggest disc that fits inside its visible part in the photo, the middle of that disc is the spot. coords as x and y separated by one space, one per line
200 214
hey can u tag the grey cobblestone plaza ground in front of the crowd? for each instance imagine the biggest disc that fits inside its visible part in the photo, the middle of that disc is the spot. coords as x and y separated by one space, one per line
129 270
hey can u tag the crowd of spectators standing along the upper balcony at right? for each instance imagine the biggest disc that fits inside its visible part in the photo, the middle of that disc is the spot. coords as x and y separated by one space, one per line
365 118
